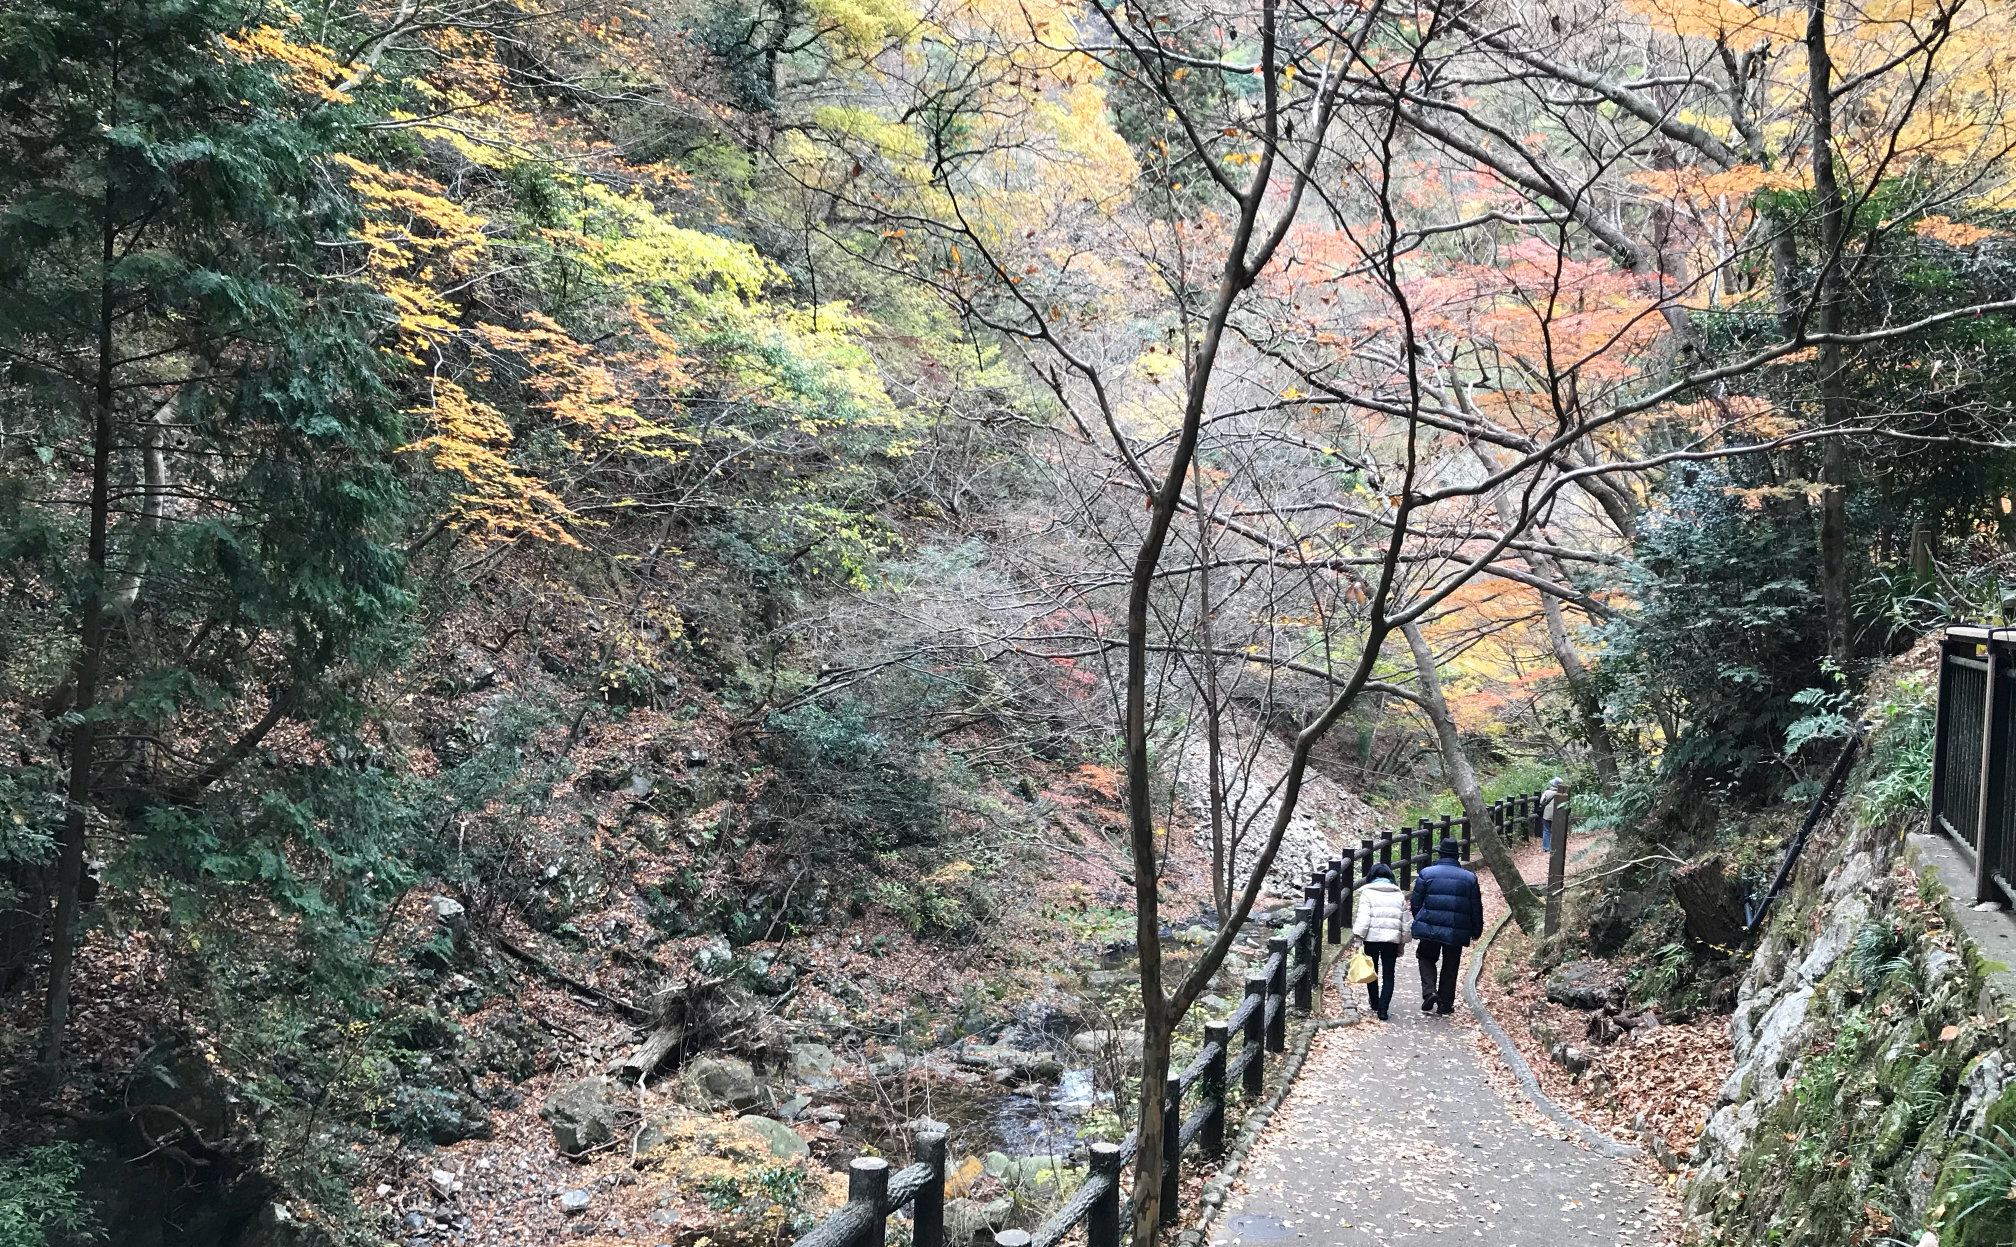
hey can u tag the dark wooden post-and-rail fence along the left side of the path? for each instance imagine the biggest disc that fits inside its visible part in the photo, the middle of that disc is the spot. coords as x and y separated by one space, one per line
1289 978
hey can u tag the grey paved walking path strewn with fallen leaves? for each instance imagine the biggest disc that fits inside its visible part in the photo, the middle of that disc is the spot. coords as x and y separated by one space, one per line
1400 1133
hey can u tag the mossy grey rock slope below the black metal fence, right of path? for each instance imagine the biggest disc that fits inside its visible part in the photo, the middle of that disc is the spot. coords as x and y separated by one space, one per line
1872 1043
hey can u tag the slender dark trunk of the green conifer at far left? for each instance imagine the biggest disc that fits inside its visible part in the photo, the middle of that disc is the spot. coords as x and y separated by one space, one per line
90 658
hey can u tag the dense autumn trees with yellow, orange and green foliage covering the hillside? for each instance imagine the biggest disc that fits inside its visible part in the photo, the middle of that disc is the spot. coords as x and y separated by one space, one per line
428 426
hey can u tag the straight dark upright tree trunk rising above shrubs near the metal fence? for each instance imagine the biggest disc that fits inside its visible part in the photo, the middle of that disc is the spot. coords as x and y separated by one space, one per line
1830 364
